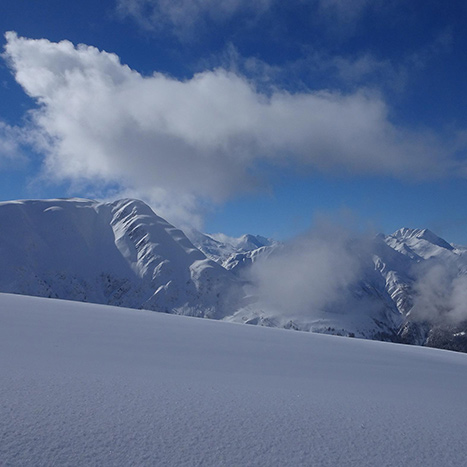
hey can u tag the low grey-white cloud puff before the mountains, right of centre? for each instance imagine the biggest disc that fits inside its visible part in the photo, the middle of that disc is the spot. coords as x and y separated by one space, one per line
309 275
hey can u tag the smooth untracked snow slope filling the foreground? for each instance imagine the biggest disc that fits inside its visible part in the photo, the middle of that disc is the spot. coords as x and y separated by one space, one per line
85 384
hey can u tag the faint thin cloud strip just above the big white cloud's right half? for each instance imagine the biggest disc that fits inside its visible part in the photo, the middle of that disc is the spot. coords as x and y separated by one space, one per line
319 68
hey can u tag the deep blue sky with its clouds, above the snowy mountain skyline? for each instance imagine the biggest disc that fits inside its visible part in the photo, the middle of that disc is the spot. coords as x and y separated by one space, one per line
241 116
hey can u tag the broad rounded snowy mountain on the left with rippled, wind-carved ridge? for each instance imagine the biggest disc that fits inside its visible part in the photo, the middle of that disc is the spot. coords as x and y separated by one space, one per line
118 253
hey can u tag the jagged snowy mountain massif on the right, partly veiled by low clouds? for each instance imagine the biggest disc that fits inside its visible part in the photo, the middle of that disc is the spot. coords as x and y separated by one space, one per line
388 298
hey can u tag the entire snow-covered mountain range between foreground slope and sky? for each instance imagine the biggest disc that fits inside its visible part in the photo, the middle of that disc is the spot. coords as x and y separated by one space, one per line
406 287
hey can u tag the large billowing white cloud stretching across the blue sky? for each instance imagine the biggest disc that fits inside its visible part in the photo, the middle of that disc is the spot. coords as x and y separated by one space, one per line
179 142
